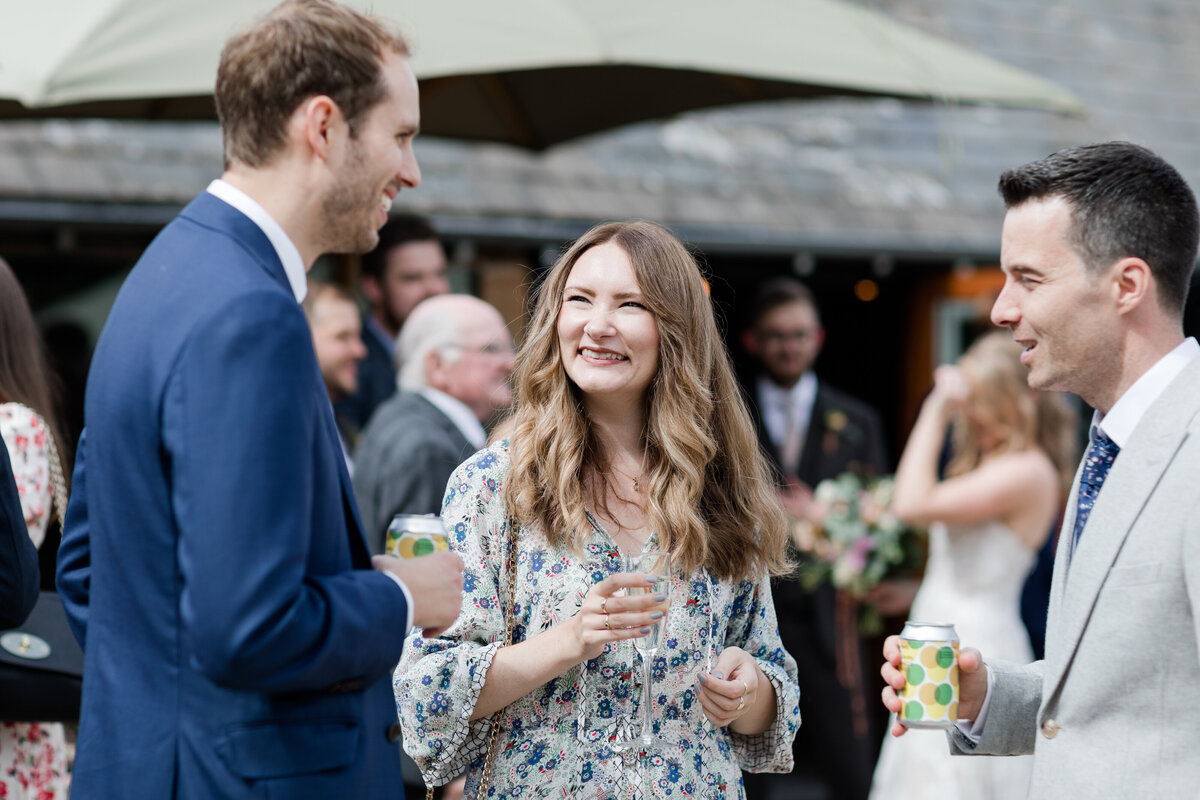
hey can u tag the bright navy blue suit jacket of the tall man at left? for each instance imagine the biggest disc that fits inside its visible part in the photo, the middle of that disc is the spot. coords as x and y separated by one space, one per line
213 567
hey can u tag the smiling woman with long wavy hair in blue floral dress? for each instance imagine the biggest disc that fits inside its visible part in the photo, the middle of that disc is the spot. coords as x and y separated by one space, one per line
629 435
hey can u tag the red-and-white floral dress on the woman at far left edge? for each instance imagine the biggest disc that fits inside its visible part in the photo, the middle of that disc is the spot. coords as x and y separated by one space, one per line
33 755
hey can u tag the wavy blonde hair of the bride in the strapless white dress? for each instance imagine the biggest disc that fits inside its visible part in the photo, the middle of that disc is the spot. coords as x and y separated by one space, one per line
1018 417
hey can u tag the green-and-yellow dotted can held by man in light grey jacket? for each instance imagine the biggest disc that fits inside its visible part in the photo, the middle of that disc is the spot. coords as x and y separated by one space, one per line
929 654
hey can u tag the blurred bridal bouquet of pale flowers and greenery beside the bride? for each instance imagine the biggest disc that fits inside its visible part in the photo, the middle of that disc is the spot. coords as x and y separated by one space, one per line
853 539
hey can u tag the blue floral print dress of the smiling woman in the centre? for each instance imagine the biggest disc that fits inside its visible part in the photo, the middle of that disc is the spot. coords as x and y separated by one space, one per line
571 738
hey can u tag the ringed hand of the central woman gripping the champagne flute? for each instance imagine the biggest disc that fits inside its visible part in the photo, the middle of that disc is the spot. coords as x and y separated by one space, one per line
610 615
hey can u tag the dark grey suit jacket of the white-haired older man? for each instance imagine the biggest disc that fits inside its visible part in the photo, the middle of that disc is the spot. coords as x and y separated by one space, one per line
404 461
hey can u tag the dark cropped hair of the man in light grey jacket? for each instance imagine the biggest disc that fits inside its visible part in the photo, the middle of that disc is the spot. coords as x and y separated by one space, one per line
1126 202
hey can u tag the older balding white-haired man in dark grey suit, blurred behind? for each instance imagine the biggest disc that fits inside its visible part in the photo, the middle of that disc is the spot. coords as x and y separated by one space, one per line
454 358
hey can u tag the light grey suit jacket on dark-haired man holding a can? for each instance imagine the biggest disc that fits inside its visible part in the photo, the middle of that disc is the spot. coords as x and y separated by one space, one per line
1112 711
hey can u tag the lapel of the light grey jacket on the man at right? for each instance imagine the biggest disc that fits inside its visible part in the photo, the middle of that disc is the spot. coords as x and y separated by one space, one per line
1138 470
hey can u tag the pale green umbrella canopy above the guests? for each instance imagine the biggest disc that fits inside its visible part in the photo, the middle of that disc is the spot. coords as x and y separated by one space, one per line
526 73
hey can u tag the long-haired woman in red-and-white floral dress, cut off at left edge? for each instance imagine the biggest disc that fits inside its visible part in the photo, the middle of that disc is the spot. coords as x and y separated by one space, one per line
33 756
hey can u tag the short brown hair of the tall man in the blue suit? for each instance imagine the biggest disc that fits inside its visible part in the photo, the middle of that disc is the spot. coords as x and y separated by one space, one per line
301 50
